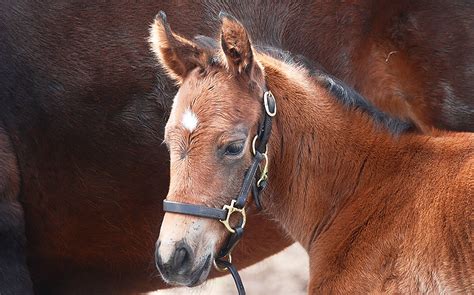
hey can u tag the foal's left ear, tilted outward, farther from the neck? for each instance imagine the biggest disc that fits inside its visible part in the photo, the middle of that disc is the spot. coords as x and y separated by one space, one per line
176 54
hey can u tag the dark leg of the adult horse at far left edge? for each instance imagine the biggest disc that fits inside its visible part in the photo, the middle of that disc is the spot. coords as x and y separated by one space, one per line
14 274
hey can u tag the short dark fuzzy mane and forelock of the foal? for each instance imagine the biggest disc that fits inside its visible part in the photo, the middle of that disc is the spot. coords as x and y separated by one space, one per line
343 93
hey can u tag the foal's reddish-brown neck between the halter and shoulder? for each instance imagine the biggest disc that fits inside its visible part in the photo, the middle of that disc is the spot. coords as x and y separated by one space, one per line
319 153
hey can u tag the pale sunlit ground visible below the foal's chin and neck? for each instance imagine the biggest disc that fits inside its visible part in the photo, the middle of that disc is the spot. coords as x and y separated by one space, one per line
284 273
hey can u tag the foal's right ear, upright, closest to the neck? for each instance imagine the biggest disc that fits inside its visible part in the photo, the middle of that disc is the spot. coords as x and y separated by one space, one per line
236 45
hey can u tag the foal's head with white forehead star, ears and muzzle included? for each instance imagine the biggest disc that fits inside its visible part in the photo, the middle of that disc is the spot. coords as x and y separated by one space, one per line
214 117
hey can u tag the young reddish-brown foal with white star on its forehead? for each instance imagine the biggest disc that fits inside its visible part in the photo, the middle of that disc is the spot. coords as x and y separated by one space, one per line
376 211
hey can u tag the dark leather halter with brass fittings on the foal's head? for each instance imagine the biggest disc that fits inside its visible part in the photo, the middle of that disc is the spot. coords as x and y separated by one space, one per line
237 205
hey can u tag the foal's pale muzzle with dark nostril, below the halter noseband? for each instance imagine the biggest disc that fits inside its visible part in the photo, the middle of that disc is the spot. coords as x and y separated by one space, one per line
185 249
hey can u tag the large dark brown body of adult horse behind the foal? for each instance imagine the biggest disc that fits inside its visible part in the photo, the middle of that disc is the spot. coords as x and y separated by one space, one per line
82 115
